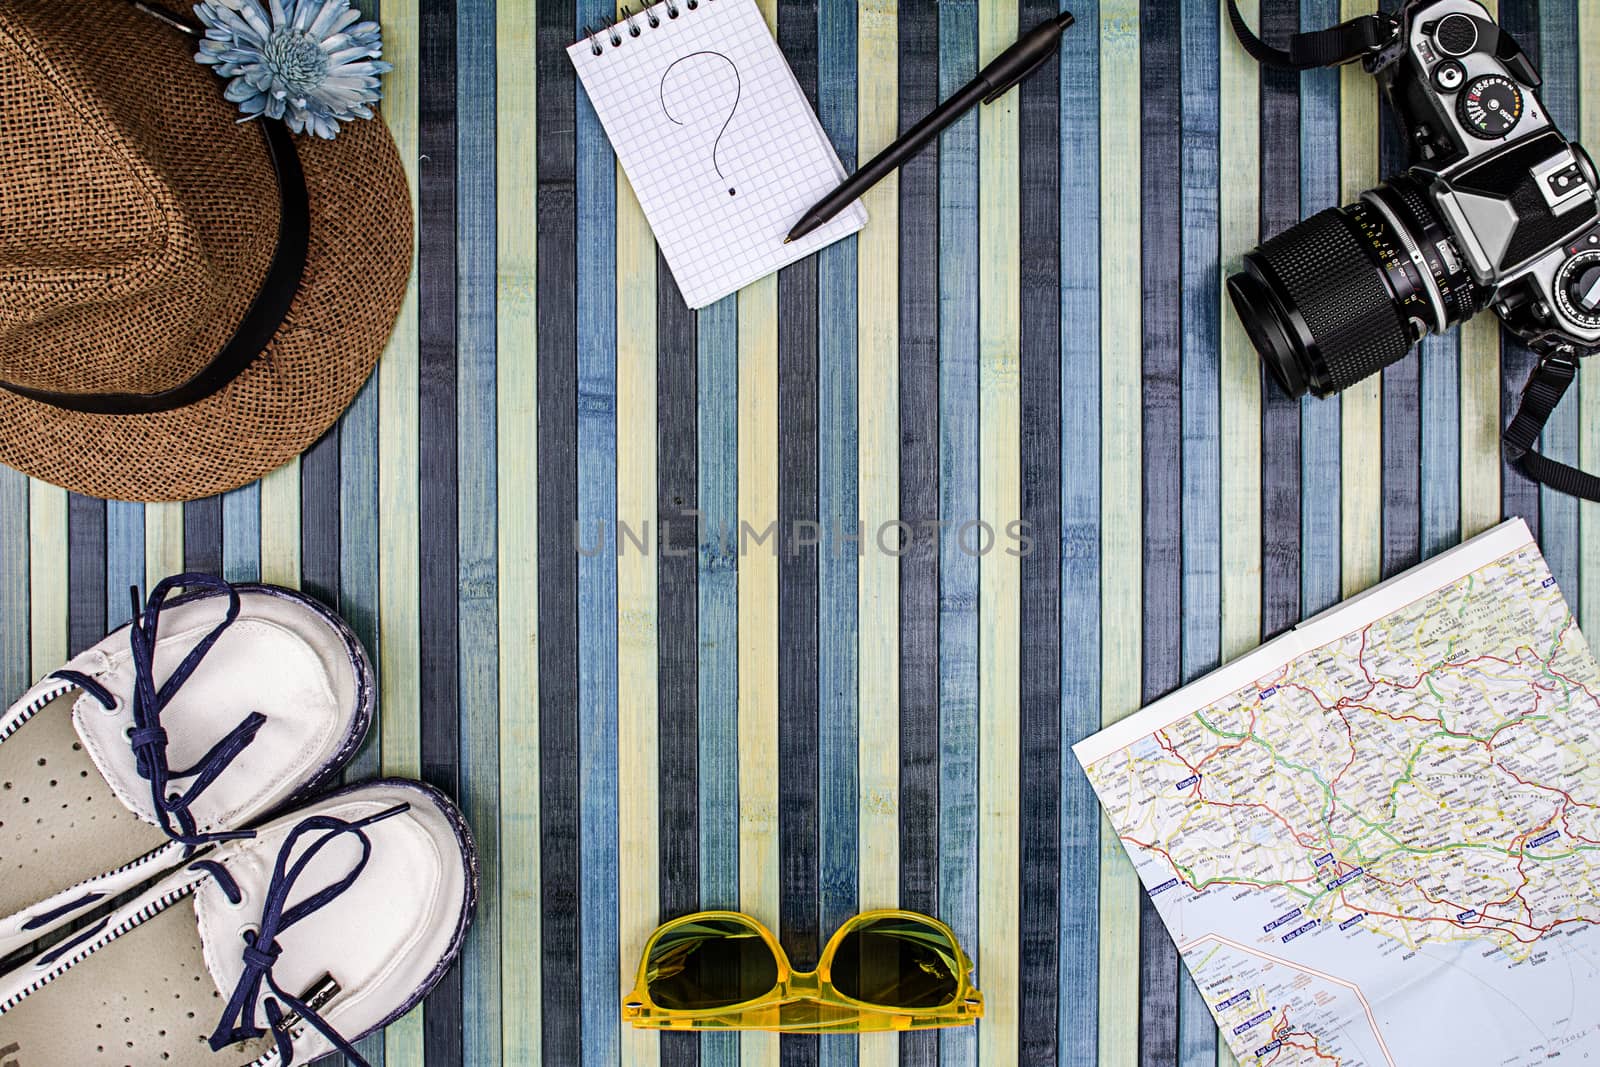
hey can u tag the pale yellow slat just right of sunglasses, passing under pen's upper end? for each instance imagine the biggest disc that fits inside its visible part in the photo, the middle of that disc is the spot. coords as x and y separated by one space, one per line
999 573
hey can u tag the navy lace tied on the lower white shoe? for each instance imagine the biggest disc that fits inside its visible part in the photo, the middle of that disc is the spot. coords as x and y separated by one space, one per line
262 946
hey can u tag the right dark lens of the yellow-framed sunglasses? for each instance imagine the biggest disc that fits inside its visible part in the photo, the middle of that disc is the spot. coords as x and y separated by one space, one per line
898 964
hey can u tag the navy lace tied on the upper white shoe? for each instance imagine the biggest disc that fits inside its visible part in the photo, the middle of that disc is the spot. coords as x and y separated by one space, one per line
148 738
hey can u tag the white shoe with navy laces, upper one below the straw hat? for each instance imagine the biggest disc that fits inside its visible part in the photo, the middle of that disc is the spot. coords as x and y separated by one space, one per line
206 714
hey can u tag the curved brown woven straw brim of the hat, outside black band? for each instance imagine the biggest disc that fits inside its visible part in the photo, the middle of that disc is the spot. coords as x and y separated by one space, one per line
337 329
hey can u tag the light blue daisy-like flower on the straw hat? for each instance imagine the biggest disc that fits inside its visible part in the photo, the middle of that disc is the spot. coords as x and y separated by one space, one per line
311 63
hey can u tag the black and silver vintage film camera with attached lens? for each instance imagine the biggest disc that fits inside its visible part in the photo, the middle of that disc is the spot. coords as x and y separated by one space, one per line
1497 210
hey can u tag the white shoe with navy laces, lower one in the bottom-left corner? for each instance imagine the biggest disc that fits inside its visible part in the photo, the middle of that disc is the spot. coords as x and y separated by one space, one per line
330 924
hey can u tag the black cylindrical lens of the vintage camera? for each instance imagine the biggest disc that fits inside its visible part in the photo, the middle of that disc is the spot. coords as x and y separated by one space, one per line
1350 290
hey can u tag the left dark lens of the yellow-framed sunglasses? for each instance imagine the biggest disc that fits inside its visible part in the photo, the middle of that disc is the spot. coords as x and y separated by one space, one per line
711 964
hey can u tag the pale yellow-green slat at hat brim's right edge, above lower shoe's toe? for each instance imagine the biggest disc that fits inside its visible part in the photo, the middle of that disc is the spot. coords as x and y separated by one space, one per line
399 647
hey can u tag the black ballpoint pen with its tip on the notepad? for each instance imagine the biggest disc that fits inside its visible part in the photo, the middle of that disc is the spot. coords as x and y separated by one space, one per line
1018 62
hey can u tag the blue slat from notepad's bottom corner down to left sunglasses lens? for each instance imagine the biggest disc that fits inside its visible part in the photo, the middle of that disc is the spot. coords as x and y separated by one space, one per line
719 626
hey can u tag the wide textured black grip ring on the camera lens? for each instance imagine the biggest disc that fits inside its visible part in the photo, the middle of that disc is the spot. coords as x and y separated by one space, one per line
1343 298
